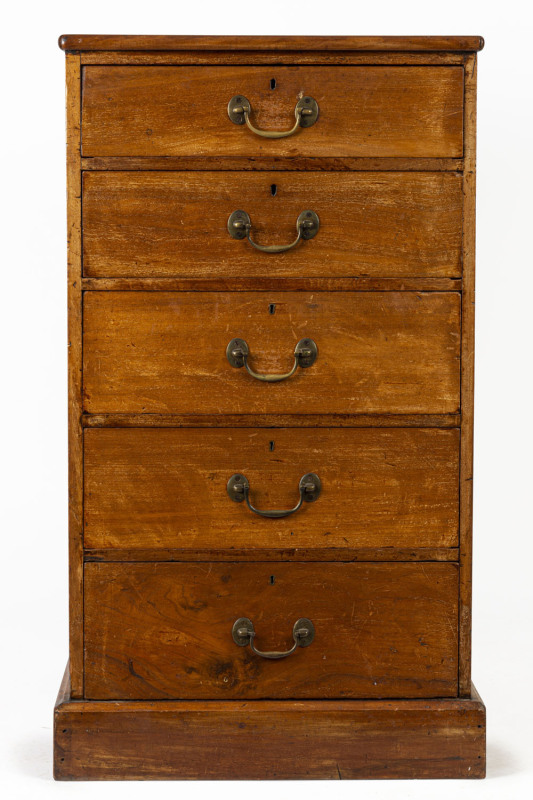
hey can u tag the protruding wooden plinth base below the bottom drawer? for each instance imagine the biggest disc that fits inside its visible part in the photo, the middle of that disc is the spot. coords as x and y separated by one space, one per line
330 740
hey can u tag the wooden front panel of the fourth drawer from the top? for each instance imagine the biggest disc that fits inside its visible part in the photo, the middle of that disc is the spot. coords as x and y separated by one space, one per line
167 488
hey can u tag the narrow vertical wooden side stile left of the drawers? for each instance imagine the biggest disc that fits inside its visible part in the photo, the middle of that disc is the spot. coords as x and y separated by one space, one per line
75 431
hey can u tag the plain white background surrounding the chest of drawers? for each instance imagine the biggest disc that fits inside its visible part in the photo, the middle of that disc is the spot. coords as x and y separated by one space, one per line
33 507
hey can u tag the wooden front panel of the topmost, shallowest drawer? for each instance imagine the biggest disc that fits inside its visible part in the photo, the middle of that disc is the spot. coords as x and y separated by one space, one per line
363 111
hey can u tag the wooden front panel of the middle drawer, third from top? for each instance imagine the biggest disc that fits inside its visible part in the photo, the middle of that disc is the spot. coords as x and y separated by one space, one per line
165 352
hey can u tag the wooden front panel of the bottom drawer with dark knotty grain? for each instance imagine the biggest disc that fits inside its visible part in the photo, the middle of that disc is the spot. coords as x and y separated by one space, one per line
164 630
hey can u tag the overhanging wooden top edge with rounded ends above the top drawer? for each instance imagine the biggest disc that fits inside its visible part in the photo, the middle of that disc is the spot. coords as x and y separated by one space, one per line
91 42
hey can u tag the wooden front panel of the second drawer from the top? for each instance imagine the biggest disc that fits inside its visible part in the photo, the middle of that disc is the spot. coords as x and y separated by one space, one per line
157 224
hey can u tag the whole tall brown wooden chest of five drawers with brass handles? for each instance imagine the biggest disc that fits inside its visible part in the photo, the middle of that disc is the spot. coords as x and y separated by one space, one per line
271 320
